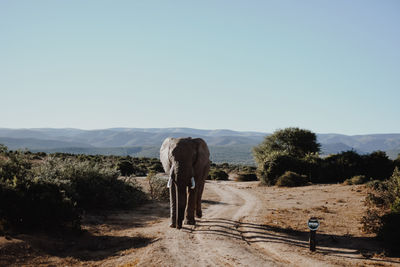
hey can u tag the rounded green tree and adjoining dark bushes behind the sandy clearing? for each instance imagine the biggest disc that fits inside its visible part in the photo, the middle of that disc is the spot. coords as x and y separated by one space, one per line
297 150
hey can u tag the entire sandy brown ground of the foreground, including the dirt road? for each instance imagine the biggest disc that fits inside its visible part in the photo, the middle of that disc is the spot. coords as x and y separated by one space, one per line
243 225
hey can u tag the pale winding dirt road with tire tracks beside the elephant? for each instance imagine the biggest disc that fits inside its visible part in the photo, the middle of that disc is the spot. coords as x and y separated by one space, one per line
218 239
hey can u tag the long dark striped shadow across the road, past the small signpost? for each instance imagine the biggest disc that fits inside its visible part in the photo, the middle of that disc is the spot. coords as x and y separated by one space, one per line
361 248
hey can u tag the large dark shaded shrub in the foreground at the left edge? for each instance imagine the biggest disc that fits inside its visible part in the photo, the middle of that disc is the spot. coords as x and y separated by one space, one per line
32 203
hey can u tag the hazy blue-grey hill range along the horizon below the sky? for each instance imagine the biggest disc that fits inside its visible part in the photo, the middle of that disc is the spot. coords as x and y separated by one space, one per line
225 145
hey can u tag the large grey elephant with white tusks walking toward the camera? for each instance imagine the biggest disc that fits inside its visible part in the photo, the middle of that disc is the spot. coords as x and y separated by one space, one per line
186 161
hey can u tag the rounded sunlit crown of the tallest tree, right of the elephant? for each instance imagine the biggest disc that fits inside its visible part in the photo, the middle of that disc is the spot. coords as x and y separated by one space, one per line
295 142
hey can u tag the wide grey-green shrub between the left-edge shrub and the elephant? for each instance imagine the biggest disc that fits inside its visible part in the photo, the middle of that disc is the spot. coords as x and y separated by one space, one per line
91 185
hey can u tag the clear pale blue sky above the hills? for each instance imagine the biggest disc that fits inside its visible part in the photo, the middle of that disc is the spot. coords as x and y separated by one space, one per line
328 66
